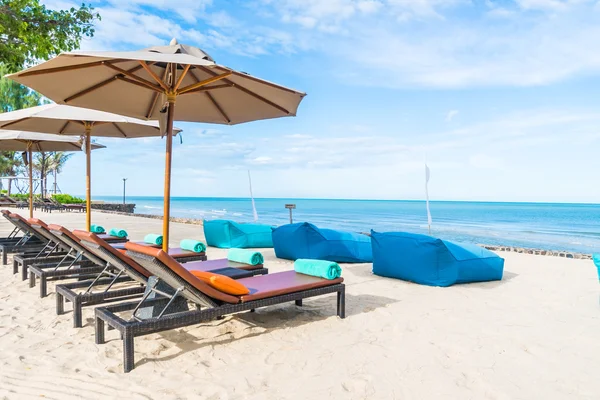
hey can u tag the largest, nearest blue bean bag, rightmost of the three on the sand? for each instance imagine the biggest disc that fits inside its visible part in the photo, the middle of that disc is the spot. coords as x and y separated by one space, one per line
430 261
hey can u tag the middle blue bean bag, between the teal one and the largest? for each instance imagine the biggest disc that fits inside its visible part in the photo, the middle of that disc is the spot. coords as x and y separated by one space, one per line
304 240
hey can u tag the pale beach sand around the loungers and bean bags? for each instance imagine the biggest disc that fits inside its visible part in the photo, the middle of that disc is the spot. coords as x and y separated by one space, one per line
534 335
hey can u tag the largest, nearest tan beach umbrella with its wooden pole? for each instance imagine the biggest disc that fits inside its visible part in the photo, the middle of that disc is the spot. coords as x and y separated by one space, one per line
148 83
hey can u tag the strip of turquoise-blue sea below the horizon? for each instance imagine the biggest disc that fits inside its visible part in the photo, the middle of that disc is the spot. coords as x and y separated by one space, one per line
548 226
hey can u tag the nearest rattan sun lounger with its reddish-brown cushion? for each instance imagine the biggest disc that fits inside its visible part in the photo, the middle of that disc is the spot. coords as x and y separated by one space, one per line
266 290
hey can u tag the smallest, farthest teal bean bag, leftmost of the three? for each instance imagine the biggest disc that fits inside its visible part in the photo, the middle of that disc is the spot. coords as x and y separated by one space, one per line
228 234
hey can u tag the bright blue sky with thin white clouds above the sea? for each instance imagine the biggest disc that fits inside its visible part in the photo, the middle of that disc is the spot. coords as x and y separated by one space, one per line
500 97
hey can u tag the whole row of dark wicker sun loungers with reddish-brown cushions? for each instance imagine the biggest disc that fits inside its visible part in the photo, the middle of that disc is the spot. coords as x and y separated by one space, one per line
151 289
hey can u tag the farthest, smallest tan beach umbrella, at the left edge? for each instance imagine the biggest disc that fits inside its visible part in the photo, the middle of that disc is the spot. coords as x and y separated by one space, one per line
39 142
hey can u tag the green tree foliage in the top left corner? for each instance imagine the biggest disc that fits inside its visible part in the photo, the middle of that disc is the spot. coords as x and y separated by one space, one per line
30 32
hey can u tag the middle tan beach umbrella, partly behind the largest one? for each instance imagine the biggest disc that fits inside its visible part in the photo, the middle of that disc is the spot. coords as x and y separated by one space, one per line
63 119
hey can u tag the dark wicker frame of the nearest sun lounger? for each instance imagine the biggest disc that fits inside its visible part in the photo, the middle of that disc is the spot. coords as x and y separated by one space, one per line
133 327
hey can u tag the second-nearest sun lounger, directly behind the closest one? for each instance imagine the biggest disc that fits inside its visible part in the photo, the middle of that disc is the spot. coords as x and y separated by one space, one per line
120 268
